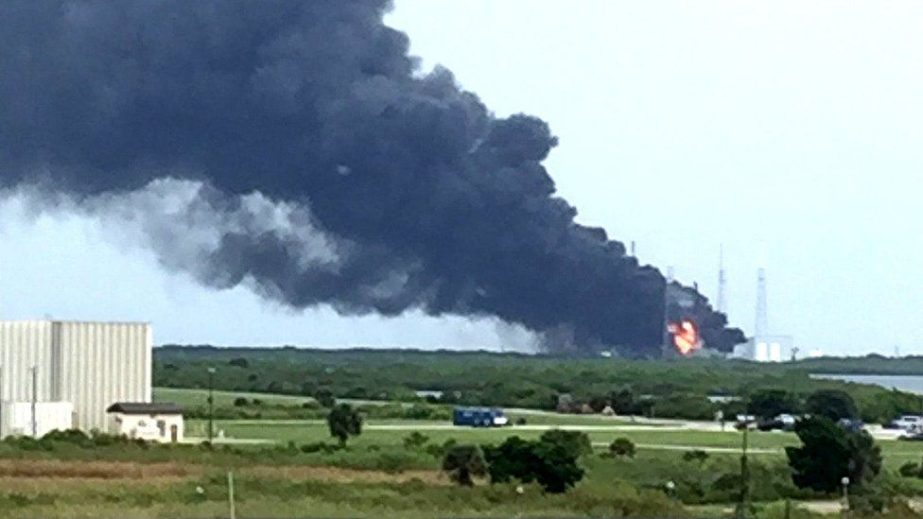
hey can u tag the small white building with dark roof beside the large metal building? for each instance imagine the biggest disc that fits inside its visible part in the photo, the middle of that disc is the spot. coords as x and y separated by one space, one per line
158 422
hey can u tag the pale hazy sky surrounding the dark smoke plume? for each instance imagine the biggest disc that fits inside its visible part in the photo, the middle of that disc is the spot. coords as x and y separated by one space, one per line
787 132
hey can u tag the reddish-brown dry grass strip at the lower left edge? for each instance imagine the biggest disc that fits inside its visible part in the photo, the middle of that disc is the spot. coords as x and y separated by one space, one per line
93 469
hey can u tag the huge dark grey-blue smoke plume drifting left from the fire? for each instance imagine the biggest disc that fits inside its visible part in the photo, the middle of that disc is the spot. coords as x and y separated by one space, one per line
296 139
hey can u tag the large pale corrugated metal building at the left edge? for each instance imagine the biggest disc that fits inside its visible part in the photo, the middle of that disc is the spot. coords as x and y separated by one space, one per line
57 373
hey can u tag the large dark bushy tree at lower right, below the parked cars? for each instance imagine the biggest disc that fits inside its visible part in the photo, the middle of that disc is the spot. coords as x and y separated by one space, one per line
828 453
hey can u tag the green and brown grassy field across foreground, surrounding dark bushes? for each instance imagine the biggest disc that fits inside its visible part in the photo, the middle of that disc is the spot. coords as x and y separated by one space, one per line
377 476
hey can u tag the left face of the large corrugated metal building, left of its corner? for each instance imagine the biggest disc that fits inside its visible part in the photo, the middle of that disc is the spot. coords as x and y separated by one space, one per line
24 345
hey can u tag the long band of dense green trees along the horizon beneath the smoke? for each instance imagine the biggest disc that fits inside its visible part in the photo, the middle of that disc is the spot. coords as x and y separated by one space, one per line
681 388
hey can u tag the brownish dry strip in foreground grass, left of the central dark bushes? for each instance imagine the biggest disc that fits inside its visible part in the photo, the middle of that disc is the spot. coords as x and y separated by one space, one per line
340 475
